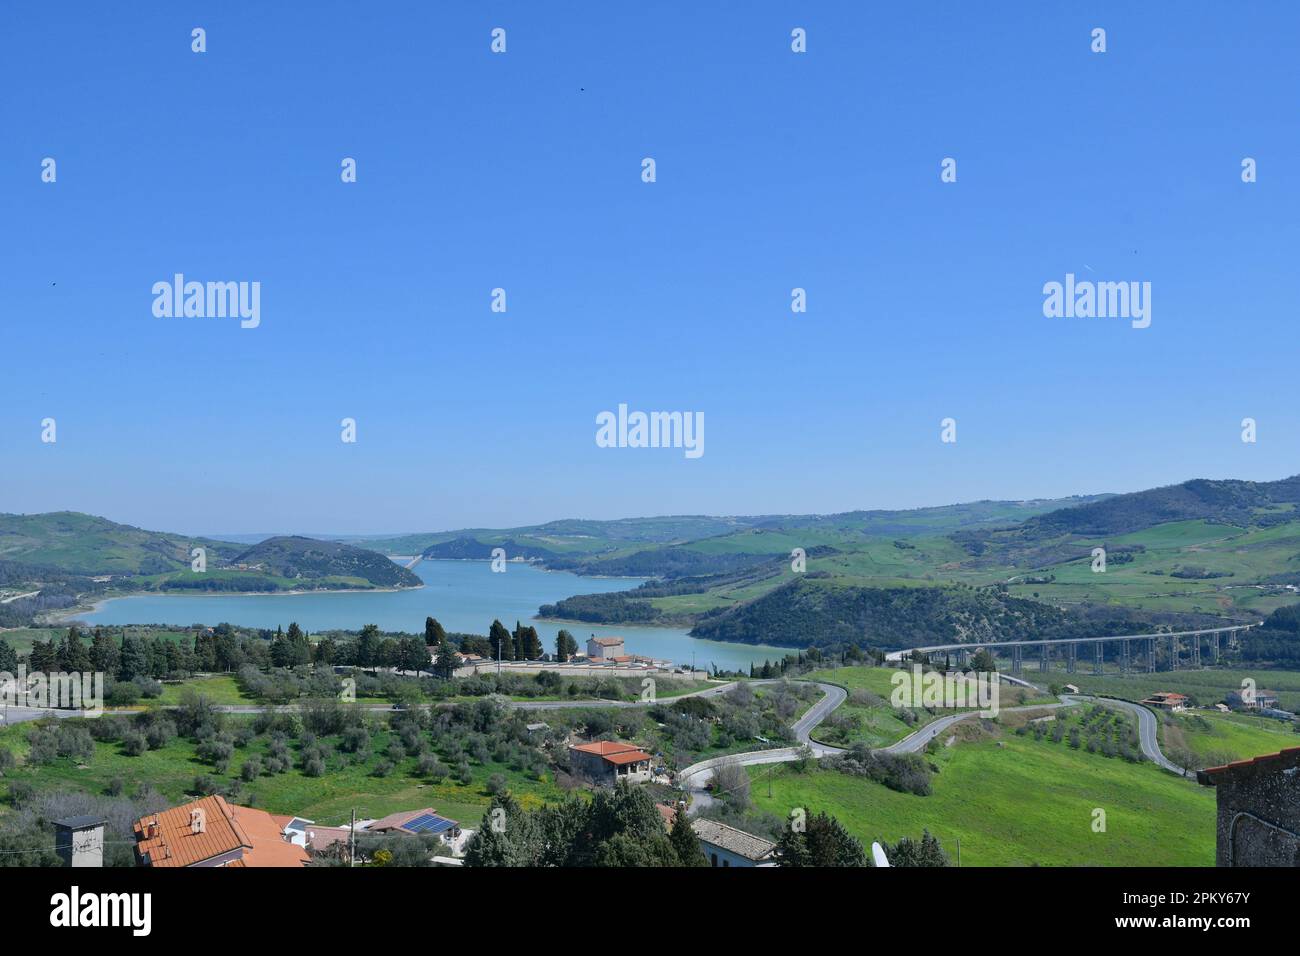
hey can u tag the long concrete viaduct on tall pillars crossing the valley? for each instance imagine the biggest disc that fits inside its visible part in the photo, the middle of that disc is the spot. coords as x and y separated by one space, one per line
1185 650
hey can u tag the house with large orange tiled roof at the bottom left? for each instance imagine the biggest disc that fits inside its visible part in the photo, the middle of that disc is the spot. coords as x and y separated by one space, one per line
213 833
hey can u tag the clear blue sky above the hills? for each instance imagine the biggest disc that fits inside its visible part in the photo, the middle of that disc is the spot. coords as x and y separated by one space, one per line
522 171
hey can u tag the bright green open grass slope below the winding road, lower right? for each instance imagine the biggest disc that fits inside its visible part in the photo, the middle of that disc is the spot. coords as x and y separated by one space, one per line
1016 802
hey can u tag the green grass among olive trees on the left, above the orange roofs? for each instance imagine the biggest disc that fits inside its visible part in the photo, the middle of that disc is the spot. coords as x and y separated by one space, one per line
172 769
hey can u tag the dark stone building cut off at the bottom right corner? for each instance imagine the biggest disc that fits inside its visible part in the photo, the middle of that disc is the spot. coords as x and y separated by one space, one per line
1259 811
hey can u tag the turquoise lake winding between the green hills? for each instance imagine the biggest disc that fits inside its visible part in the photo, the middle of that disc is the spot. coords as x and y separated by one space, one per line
463 595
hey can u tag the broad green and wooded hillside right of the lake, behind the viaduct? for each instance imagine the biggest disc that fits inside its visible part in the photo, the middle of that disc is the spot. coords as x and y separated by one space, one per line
1185 555
